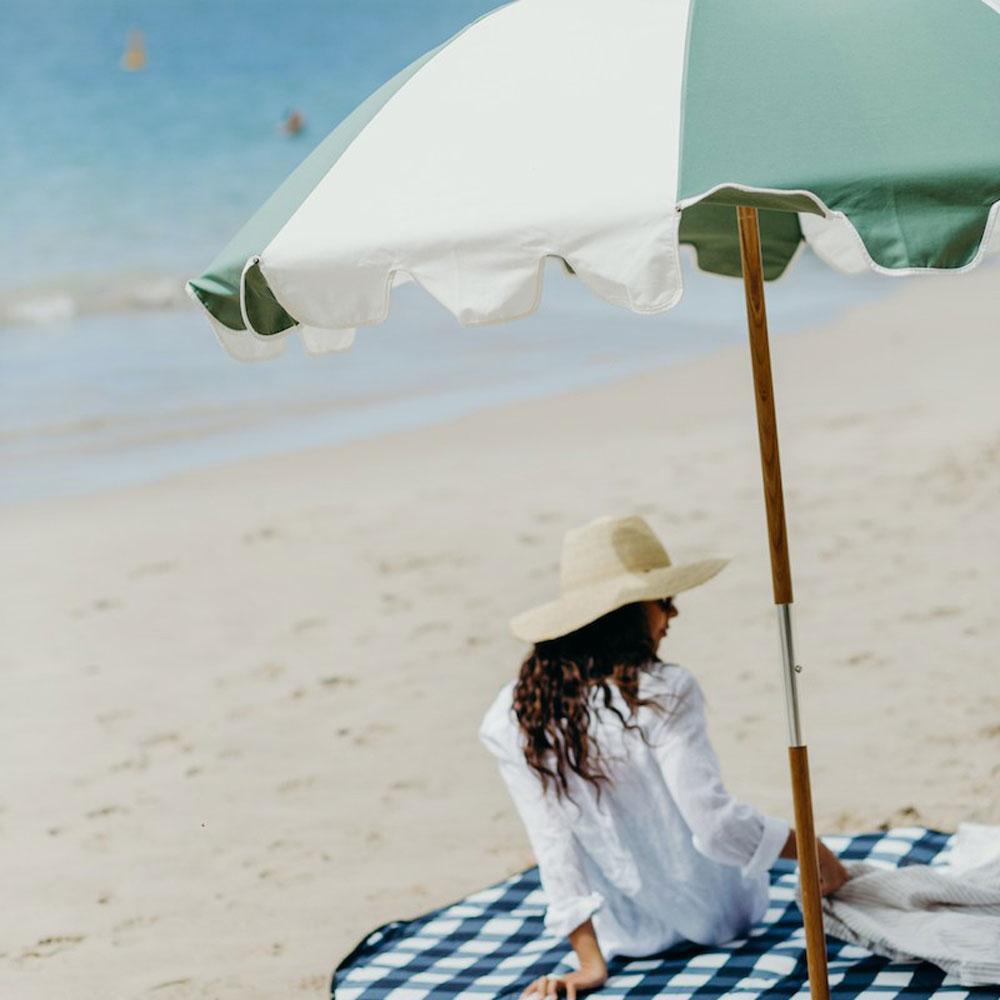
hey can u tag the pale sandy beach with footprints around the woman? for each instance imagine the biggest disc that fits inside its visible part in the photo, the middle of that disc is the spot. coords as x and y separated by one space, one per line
241 705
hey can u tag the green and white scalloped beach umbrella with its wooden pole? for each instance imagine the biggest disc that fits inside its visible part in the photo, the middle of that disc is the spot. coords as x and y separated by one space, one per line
606 134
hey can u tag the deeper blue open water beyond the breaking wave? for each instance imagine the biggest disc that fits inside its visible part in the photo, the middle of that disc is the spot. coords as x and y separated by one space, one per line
117 174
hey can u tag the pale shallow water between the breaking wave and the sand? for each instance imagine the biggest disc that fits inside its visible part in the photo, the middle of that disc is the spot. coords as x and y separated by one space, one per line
105 402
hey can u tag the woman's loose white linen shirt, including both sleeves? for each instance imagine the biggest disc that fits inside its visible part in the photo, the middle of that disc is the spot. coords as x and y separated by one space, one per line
664 853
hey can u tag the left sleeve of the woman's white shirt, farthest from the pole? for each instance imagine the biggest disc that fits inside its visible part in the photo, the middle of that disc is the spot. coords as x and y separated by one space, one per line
570 900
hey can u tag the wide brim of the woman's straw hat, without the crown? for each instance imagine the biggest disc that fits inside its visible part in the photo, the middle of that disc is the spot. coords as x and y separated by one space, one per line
583 605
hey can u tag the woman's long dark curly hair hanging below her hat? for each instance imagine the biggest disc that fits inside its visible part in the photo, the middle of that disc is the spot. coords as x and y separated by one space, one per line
554 694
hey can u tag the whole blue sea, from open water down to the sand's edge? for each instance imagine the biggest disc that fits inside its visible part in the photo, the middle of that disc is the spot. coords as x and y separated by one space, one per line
119 185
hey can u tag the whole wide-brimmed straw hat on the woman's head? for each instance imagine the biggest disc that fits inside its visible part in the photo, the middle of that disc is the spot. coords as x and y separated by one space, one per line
605 565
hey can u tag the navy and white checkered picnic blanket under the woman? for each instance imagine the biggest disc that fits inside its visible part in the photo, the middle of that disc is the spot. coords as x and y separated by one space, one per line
493 944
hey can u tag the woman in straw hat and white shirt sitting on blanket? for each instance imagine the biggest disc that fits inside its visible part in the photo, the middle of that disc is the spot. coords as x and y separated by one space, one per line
604 750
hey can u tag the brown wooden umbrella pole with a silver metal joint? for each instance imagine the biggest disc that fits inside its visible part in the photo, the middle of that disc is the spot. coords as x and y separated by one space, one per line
781 578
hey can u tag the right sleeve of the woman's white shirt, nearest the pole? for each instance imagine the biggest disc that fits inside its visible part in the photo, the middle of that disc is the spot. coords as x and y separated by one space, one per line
723 828
